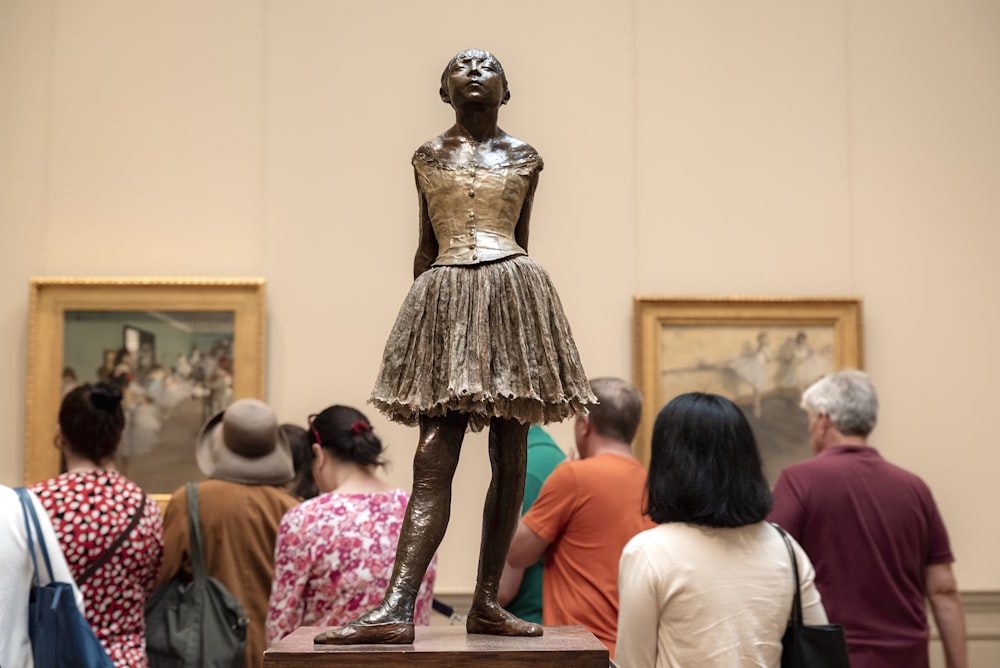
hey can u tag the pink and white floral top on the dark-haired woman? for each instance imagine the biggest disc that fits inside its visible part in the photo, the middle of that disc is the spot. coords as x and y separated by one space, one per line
333 559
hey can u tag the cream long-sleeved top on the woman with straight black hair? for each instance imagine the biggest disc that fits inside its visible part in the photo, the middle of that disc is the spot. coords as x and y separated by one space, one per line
697 596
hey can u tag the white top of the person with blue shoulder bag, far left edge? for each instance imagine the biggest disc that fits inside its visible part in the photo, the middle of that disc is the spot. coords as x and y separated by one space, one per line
16 571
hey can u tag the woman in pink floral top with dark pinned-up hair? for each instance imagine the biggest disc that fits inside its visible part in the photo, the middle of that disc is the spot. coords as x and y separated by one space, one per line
335 552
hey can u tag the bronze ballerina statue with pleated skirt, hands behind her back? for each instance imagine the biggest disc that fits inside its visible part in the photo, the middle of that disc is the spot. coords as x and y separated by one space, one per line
480 339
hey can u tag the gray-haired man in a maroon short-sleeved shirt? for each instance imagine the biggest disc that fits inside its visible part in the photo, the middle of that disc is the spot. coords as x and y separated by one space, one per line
873 533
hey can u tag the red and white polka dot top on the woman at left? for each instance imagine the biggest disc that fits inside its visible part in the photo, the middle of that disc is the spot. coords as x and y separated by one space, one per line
89 509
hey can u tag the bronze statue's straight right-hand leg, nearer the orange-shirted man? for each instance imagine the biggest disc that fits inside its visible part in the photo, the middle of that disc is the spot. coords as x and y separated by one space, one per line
508 458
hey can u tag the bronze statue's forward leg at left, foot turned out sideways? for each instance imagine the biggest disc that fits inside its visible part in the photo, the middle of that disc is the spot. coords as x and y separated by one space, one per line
424 525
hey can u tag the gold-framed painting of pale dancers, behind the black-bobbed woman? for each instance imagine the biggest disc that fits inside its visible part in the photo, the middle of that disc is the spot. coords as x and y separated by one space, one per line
759 352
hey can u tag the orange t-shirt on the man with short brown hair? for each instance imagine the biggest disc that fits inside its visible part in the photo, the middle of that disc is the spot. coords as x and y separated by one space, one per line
588 509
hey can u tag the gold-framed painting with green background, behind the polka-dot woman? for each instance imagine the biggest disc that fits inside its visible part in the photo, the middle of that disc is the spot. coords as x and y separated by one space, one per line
180 349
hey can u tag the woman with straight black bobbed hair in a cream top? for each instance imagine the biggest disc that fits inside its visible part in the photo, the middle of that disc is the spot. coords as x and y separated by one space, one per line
712 585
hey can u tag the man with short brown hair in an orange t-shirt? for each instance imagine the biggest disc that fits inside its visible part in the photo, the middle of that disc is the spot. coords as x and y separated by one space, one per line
585 513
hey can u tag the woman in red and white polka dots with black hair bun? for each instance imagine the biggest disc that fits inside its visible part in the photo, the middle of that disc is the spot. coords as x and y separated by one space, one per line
91 506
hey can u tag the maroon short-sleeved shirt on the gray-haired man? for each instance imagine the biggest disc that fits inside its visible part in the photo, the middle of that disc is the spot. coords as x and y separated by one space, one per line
870 529
